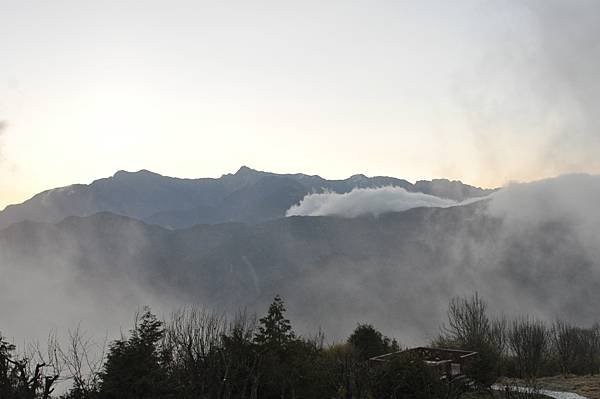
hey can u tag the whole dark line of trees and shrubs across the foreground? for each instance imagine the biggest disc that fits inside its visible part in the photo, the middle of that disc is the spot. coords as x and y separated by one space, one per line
198 354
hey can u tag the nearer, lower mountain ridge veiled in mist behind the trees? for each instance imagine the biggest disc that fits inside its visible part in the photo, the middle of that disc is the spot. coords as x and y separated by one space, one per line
397 270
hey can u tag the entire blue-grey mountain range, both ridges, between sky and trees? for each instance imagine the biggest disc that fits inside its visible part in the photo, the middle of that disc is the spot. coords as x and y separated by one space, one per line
133 239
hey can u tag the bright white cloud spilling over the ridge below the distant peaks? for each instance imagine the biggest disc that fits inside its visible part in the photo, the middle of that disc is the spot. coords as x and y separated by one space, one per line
365 201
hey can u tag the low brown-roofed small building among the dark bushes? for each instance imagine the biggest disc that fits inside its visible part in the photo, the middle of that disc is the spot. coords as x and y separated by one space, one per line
449 362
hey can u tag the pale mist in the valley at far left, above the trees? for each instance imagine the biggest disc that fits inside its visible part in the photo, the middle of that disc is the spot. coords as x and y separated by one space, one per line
53 282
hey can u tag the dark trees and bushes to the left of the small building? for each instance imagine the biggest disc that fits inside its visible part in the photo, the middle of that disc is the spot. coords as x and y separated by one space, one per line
197 354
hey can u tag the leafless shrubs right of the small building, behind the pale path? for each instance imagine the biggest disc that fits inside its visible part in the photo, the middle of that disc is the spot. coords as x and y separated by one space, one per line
524 347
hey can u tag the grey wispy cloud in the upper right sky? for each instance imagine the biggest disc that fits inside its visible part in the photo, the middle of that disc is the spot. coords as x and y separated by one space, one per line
530 101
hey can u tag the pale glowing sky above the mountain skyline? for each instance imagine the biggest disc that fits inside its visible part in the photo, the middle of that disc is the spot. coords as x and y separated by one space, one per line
486 92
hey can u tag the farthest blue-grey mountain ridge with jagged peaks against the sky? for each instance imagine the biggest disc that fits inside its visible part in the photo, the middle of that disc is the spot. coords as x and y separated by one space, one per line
246 196
